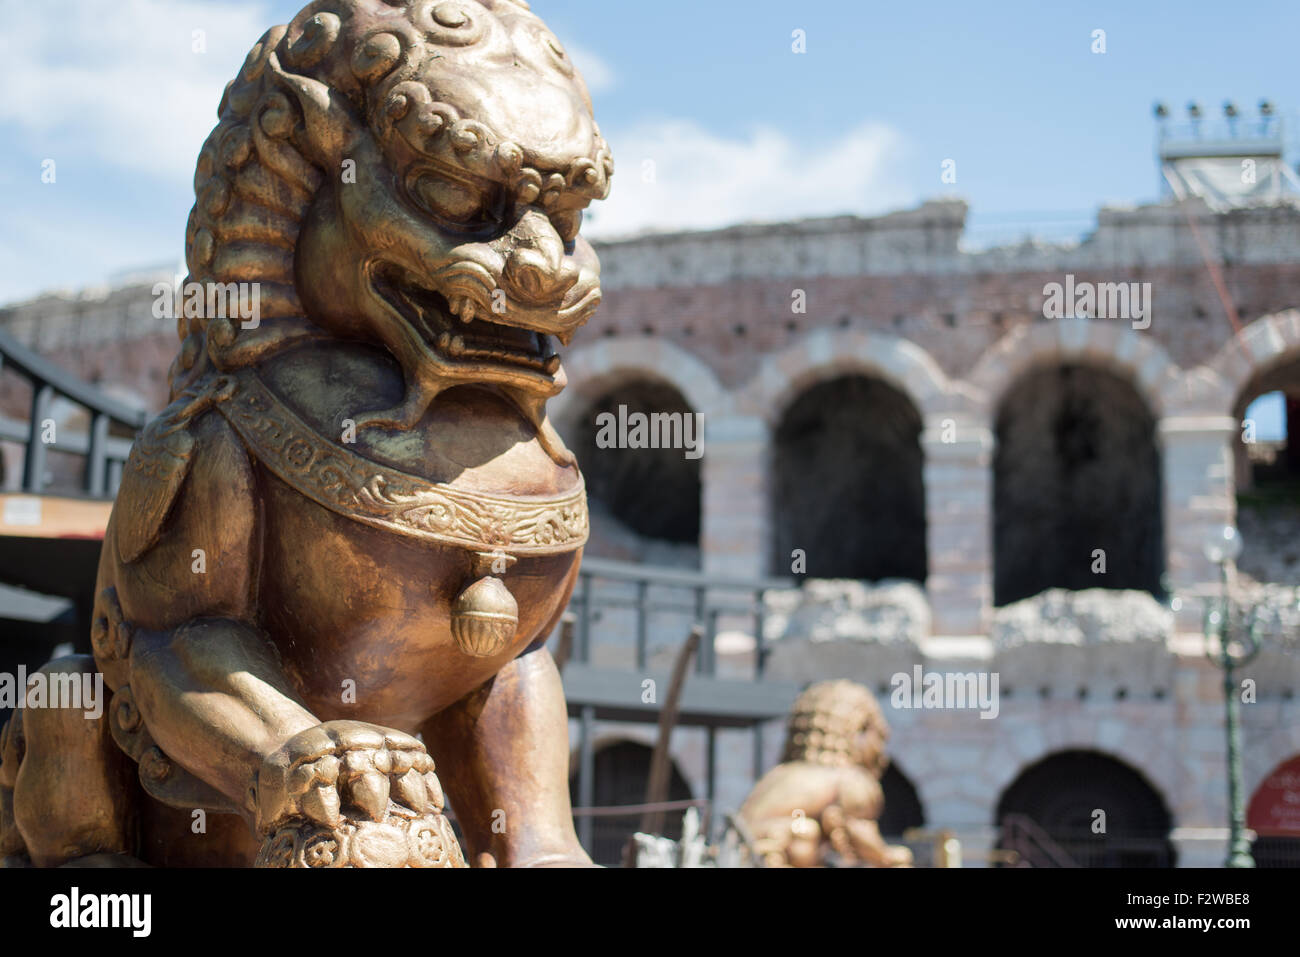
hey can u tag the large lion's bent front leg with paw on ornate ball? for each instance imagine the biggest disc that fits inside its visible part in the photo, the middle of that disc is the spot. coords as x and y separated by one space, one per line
211 696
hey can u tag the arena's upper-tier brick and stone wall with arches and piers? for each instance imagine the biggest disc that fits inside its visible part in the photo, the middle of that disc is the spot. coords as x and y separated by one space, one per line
712 315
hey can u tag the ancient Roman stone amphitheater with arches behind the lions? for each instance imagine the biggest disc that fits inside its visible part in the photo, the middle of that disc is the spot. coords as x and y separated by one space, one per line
951 482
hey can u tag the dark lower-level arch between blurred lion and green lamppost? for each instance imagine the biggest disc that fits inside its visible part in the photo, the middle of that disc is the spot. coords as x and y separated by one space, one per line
1086 809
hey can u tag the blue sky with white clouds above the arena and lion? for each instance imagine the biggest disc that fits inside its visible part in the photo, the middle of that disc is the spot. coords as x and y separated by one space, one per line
738 127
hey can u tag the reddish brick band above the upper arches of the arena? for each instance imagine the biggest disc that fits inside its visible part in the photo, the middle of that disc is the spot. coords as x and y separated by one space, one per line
955 318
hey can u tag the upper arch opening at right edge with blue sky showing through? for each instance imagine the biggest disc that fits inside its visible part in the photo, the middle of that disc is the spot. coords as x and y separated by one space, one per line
1268 474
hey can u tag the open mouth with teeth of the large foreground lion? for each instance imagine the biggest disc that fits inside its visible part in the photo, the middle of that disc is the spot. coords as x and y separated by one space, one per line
456 332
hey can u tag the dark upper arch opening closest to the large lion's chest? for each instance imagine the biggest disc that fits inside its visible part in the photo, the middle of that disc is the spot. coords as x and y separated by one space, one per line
643 478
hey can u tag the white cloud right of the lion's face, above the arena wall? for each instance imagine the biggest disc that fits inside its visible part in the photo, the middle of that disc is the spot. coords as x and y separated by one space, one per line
677 175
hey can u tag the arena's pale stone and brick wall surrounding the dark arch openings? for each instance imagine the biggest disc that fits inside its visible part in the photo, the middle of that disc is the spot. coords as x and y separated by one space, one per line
898 300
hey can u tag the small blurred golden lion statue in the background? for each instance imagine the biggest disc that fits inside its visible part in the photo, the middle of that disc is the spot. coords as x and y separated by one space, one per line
825 796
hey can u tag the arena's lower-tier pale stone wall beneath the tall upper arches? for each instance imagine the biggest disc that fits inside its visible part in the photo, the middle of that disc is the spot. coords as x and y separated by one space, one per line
1098 672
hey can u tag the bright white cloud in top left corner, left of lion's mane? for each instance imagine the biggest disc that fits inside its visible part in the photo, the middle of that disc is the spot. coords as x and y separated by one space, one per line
119 81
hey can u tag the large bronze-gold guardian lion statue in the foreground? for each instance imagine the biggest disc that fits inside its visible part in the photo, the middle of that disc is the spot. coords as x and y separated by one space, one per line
354 525
